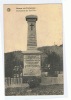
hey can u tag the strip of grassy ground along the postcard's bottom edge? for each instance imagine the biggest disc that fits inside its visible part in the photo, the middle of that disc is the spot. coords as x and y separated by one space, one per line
40 90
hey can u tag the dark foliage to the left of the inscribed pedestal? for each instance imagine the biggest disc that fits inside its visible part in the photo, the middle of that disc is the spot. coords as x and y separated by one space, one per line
11 60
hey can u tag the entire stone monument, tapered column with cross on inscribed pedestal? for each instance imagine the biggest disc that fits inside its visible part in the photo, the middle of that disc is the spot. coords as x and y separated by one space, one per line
32 57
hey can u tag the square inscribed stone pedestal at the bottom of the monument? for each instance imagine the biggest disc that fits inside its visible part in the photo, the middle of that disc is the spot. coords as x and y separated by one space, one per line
32 64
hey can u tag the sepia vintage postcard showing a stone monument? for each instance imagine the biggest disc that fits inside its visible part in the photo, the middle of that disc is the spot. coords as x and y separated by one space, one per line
33 49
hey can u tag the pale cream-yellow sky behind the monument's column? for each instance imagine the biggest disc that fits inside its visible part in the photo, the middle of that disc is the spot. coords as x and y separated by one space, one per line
48 26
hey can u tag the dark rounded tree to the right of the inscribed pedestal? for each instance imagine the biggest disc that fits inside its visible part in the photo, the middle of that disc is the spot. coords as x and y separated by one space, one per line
52 63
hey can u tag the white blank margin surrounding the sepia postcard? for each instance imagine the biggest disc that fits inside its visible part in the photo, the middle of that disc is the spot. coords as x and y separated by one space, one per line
2 53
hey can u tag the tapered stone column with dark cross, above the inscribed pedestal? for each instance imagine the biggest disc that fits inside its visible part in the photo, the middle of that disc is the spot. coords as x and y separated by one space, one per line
31 42
